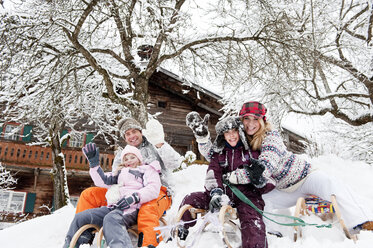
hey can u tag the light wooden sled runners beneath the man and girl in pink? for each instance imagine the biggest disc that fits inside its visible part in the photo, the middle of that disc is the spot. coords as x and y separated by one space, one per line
132 232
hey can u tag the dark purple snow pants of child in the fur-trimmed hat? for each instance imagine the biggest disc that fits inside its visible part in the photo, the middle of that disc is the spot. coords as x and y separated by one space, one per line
253 230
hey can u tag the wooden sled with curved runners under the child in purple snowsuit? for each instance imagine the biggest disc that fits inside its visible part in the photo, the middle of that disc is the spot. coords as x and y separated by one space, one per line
230 230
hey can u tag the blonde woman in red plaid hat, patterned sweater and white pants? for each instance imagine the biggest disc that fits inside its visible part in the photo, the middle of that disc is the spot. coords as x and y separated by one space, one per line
294 176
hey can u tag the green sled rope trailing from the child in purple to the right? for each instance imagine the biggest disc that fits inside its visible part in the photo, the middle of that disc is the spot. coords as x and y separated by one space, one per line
297 221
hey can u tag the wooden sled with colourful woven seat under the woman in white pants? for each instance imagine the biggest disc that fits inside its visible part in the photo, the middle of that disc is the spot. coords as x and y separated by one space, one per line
325 210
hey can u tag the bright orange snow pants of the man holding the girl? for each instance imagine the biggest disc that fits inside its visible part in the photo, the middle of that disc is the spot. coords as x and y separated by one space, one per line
149 213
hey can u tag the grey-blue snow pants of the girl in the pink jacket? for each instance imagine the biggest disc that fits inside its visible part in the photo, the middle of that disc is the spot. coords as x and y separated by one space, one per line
114 222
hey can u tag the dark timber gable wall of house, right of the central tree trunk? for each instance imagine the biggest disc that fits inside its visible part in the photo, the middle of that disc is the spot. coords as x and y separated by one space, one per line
165 98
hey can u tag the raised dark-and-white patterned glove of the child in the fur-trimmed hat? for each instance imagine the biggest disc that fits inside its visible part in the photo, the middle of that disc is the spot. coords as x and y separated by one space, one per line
199 126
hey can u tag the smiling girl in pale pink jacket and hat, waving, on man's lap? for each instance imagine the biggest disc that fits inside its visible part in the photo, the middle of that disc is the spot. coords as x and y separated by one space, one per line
138 183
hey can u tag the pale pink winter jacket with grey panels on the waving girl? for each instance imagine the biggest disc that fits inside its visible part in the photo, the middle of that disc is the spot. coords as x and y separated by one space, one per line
144 180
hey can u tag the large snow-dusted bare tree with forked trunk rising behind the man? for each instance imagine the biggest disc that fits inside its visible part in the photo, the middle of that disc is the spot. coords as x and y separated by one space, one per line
109 36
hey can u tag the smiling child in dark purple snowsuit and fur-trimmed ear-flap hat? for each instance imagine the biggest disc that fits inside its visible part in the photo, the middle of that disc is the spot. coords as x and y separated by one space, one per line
230 151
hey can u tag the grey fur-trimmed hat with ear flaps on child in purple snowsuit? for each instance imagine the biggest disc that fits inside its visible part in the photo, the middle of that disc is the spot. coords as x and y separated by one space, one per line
225 125
